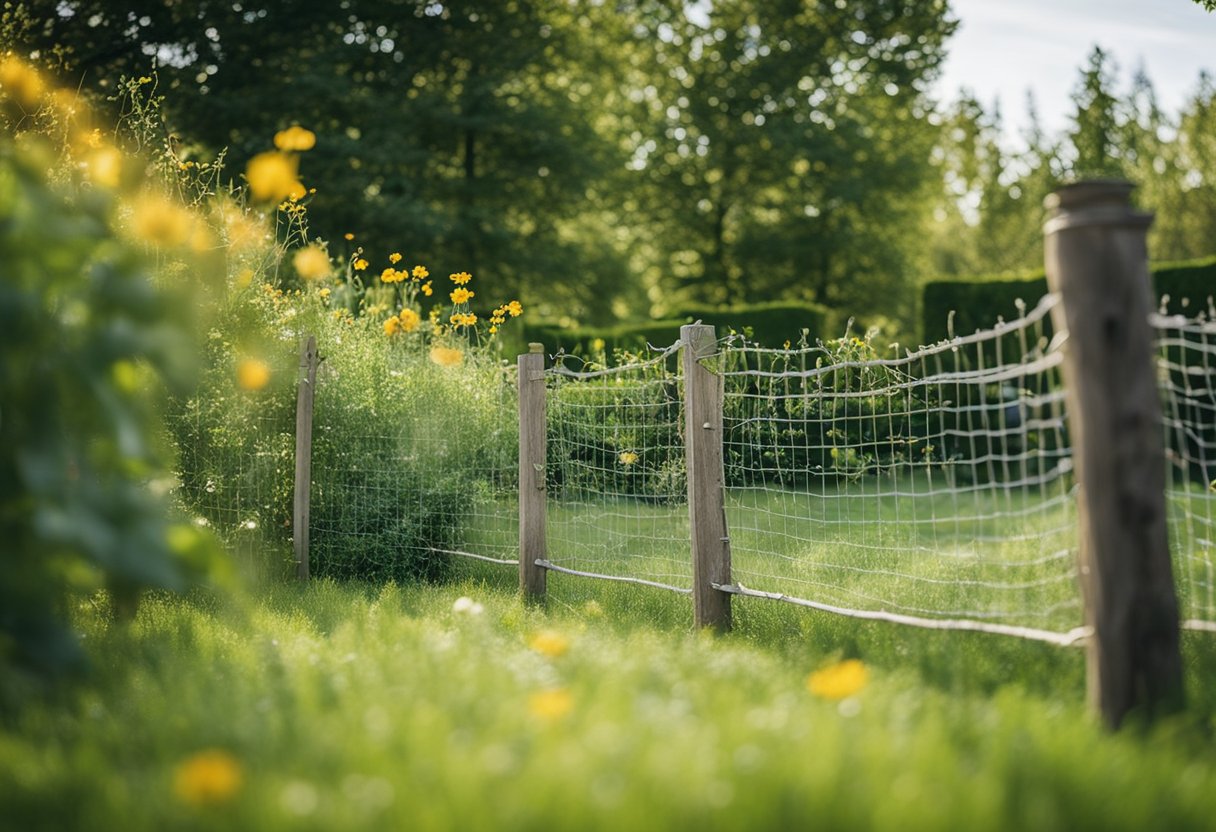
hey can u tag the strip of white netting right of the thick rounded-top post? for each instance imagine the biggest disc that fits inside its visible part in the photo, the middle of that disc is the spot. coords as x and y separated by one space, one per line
1187 381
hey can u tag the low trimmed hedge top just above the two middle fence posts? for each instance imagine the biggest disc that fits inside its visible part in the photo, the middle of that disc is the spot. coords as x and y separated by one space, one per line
769 324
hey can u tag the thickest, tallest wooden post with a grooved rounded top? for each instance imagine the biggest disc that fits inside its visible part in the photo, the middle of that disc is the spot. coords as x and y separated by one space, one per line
1097 262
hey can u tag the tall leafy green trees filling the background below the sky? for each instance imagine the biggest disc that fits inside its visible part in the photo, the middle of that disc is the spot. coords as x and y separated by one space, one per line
620 160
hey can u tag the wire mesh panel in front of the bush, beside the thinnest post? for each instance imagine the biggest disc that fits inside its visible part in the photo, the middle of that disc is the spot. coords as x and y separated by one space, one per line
435 479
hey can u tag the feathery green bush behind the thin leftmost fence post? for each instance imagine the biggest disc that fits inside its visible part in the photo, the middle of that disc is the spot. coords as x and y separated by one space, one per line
403 449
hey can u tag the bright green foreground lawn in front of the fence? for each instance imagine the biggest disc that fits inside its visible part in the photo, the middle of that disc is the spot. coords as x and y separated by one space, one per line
352 707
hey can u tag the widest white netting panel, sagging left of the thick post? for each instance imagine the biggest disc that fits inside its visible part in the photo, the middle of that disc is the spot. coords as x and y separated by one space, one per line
934 486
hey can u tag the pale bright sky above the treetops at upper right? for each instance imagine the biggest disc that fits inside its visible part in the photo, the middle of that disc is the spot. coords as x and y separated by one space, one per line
1004 48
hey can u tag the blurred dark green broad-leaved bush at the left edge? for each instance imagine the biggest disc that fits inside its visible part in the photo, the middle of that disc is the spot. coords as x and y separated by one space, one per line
89 341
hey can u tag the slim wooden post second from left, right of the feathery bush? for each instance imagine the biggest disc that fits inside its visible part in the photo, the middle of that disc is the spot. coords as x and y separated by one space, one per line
532 473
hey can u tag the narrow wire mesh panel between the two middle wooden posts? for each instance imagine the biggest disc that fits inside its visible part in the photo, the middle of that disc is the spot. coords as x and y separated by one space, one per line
616 471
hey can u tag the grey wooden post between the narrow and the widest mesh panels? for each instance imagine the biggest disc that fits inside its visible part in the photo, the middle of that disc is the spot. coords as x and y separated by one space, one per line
703 448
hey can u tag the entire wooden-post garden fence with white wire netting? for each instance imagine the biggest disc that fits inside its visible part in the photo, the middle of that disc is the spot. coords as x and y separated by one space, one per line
1020 481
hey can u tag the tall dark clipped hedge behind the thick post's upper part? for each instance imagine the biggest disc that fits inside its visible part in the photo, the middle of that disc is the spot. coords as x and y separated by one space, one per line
977 305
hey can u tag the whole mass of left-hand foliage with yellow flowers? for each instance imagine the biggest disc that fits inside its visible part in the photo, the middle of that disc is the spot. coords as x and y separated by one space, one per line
150 322
